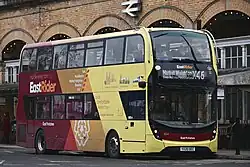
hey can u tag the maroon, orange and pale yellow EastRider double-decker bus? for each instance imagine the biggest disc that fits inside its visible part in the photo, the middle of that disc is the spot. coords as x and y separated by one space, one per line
145 90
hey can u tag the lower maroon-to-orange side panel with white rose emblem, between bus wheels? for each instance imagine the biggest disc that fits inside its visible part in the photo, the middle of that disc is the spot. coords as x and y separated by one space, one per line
73 135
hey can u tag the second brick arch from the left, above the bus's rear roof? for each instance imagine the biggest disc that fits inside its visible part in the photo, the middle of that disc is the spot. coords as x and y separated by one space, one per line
58 28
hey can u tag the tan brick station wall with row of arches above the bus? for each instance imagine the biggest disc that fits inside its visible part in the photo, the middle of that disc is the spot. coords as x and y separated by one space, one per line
77 18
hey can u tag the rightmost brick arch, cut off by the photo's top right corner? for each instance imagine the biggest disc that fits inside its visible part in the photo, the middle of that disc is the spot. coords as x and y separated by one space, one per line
218 6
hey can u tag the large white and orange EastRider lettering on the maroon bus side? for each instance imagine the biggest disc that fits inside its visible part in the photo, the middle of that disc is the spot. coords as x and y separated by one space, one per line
42 87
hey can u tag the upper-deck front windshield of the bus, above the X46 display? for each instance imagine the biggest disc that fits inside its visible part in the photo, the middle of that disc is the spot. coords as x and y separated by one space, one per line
181 45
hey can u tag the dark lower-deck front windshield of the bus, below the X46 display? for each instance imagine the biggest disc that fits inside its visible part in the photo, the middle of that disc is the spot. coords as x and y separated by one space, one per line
182 107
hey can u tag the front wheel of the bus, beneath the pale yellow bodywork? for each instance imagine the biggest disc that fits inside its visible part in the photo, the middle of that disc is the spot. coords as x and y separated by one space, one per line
113 145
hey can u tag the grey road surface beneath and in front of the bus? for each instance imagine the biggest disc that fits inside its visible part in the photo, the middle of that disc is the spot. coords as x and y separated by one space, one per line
11 155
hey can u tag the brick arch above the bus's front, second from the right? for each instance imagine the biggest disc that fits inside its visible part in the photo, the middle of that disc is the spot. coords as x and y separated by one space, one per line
166 12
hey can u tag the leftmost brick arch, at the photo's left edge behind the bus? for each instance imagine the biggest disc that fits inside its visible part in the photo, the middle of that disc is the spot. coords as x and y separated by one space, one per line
15 34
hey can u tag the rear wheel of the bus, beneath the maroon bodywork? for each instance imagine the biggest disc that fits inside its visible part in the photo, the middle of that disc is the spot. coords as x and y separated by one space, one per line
40 144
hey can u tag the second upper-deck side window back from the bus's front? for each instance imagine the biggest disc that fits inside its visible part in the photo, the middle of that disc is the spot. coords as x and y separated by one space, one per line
114 51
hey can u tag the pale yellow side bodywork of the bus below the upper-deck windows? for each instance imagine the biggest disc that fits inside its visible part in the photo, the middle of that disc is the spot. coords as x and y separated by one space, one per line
117 88
